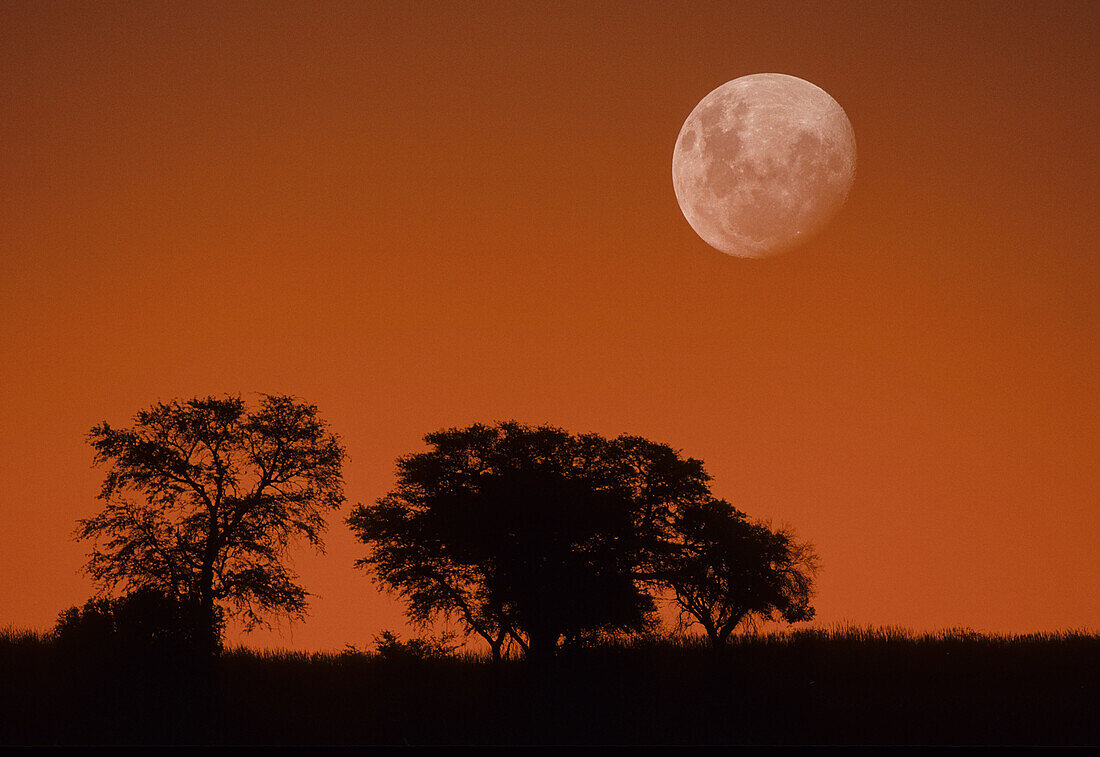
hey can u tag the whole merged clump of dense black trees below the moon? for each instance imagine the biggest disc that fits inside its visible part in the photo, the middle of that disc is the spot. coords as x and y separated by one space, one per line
532 537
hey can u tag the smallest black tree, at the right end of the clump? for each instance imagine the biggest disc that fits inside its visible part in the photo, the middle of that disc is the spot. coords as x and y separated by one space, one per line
727 569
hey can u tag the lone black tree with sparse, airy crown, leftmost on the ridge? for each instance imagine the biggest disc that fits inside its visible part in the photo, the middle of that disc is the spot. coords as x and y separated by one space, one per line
203 500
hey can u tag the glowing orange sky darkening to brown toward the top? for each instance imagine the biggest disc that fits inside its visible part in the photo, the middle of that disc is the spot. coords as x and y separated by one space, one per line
420 216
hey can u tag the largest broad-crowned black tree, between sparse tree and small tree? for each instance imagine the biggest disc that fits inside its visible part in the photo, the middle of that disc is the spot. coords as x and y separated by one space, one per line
530 535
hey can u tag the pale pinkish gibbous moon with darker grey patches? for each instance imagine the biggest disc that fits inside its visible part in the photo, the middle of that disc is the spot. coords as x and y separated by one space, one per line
763 163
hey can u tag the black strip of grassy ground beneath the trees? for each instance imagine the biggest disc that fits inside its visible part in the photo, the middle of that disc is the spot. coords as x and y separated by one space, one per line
810 688
